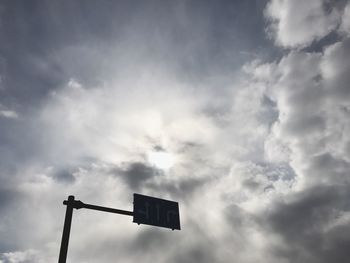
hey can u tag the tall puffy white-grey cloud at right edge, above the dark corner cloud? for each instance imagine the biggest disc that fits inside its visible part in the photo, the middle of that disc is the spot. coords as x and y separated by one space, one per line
312 98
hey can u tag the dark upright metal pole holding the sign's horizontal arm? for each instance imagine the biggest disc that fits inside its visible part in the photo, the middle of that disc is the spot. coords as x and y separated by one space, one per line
66 229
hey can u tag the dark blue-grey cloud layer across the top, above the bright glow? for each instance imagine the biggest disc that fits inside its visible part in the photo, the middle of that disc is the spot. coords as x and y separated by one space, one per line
35 34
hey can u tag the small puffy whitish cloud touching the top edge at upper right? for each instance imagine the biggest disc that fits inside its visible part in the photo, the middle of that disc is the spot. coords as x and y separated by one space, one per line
299 23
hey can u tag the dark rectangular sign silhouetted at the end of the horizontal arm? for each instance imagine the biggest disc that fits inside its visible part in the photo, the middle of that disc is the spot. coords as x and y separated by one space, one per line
156 212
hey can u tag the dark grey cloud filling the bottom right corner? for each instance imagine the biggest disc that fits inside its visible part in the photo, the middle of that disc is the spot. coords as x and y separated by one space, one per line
305 224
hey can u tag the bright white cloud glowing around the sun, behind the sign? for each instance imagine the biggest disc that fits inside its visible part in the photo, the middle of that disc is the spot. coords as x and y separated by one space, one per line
100 136
